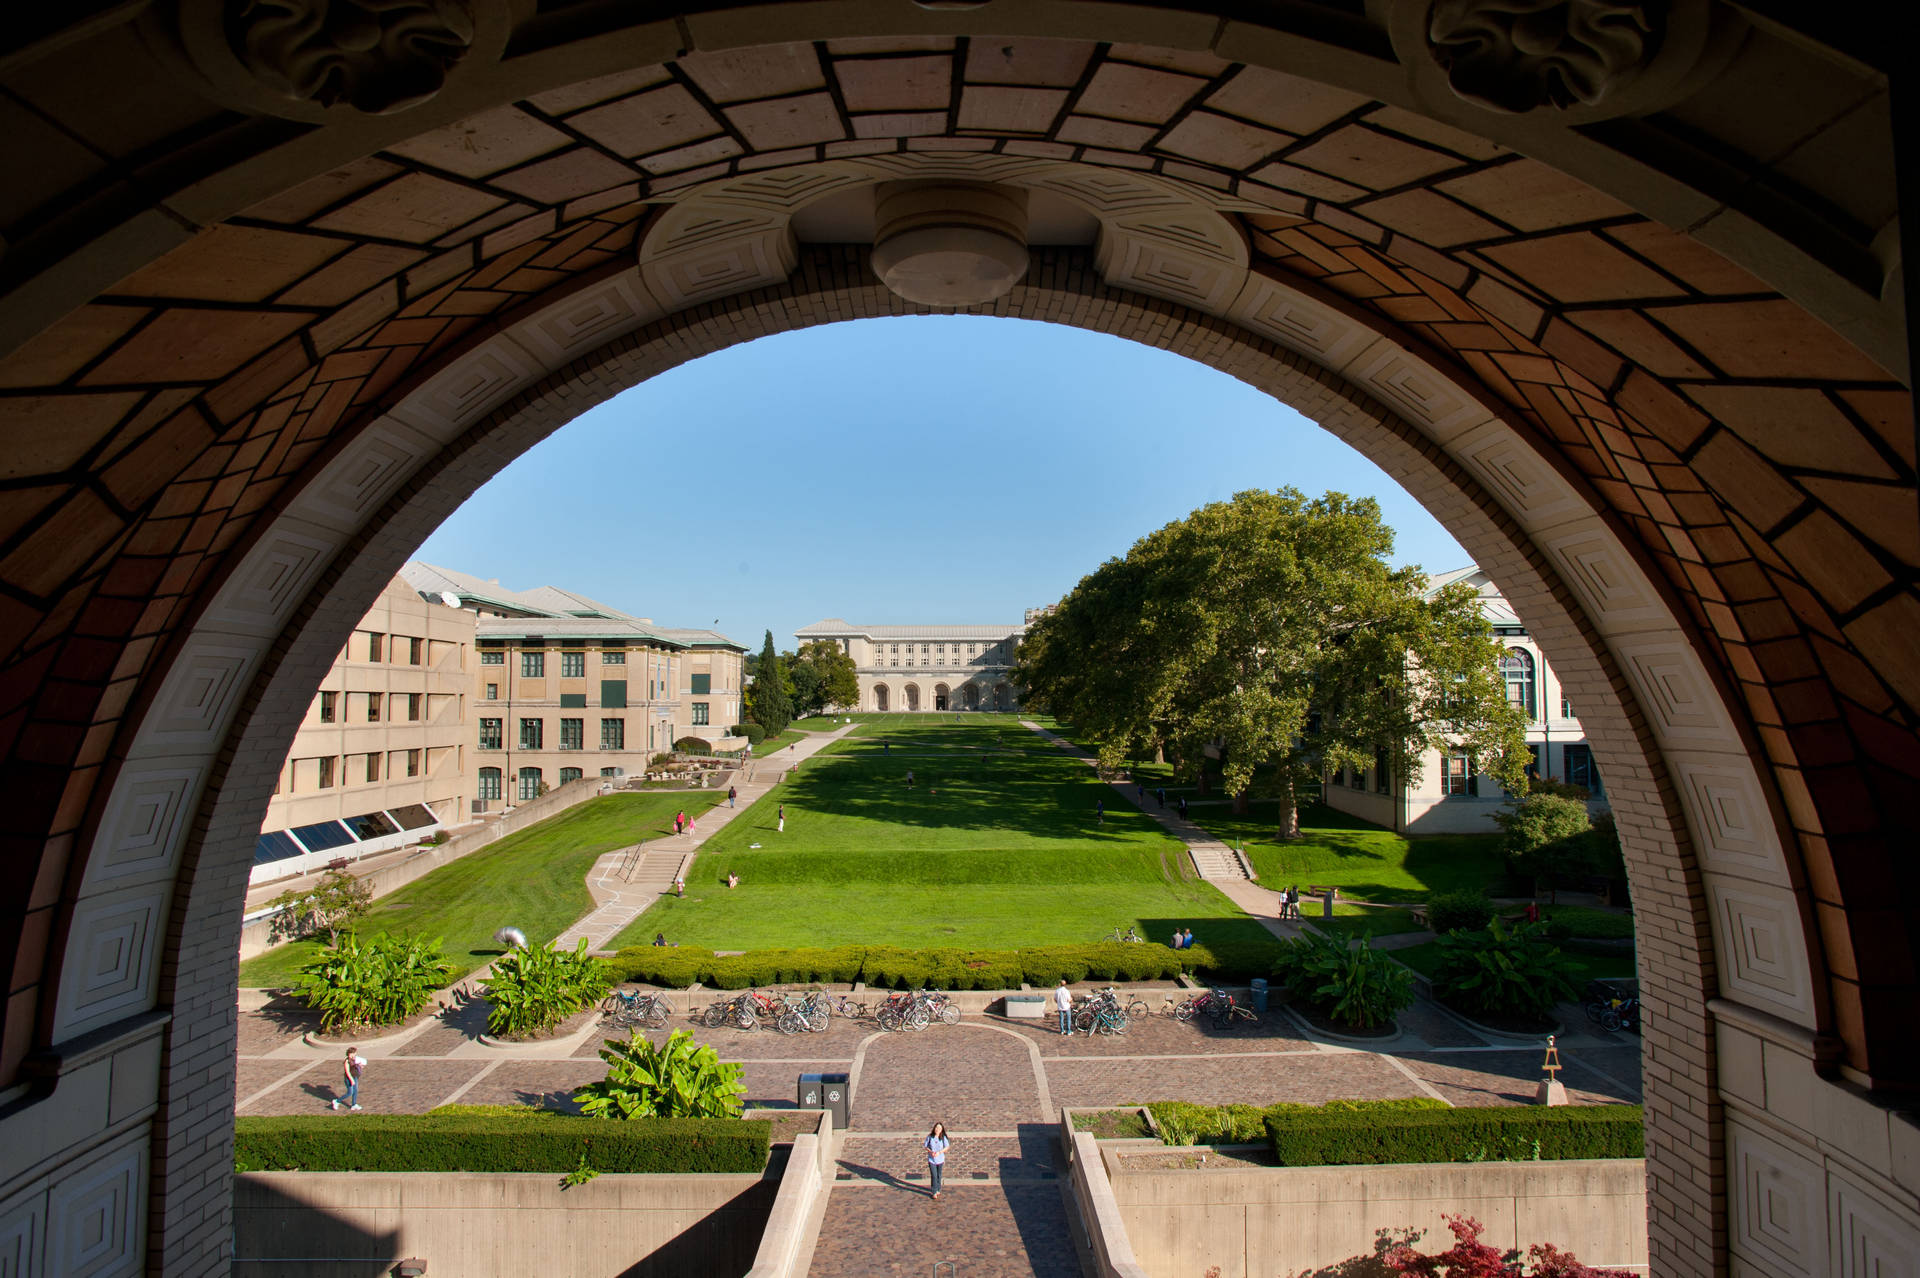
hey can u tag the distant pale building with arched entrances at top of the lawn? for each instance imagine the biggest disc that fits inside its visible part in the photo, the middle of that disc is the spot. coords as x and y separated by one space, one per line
928 667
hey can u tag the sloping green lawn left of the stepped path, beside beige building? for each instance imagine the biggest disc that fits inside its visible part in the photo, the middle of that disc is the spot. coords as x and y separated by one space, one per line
533 880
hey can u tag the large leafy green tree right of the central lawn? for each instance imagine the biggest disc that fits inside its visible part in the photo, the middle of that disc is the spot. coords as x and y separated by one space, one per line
1272 630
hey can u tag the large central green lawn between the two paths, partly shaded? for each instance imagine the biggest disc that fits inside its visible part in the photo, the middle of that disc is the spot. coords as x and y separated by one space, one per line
996 845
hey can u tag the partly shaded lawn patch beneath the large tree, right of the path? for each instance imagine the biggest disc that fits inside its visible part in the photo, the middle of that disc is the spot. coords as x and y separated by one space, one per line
1358 859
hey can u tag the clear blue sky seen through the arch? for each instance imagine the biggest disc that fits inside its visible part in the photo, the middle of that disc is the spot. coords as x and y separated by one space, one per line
909 471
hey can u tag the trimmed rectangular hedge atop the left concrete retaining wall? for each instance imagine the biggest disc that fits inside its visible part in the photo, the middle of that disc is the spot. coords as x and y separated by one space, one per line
489 1143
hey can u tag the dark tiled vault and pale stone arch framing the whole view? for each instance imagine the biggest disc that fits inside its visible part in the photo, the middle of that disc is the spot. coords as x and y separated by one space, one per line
1618 293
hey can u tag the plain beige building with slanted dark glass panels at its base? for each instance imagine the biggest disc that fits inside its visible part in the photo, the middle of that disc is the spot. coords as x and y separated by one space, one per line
381 757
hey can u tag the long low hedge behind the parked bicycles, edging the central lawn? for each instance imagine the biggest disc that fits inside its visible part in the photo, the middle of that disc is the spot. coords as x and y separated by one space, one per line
949 970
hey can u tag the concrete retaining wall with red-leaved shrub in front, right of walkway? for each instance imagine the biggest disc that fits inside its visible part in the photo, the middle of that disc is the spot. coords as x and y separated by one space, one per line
1255 1223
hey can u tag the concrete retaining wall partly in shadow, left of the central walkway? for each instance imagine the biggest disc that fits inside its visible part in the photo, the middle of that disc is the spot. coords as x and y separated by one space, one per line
358 1225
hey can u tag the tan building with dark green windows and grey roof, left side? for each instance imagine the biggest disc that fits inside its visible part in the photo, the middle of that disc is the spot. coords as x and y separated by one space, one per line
569 688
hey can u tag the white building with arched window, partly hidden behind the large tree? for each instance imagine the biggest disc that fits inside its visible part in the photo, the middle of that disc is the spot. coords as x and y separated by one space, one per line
1451 795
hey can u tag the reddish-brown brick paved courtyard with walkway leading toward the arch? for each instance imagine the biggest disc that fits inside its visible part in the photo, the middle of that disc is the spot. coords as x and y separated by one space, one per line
997 1083
